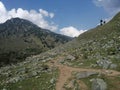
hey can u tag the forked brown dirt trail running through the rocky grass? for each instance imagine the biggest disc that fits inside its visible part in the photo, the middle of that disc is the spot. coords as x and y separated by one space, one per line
65 73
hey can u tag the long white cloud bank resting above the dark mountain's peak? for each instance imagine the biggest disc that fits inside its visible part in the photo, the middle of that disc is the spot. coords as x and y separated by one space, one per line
38 18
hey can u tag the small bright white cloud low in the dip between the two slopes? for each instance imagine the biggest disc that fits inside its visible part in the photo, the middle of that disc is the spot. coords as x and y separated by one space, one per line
71 31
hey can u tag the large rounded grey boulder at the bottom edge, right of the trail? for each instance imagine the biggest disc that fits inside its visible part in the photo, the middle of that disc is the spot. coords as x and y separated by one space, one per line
98 84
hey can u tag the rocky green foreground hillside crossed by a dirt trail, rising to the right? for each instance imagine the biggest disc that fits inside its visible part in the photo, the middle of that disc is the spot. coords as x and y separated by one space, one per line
89 62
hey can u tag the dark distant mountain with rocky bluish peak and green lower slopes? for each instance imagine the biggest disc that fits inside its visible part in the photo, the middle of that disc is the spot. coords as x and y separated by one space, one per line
20 38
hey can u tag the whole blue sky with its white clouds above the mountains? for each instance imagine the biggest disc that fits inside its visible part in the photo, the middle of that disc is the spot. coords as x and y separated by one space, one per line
68 17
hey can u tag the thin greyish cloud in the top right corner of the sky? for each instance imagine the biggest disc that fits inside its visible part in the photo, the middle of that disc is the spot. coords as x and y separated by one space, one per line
111 6
